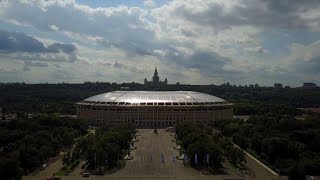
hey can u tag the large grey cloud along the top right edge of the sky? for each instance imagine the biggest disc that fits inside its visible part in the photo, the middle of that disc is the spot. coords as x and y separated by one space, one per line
261 13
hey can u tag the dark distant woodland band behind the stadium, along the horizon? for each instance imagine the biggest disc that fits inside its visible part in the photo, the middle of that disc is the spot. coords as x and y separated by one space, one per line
49 98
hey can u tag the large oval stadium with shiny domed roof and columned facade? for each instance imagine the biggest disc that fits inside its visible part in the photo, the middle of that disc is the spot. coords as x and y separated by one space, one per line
154 109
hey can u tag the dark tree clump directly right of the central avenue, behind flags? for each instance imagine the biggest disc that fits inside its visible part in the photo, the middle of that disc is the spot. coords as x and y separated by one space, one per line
207 149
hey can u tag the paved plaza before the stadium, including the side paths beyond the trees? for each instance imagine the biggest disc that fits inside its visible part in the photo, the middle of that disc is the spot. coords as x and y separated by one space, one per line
149 164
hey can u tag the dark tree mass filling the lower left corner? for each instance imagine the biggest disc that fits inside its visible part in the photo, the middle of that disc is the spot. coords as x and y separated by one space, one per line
26 144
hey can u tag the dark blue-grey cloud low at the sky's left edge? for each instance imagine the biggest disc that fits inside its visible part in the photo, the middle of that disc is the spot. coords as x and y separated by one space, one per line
20 42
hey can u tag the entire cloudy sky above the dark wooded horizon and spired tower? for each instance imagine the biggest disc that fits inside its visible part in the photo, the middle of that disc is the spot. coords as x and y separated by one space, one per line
190 41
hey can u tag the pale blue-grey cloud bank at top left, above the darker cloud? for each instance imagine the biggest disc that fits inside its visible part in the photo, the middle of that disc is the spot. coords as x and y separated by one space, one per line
119 25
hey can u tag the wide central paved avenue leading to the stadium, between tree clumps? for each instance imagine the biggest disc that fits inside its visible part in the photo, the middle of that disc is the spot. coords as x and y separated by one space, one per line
147 162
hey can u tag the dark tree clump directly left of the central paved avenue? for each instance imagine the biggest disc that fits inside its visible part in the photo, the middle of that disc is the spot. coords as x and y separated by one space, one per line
103 149
